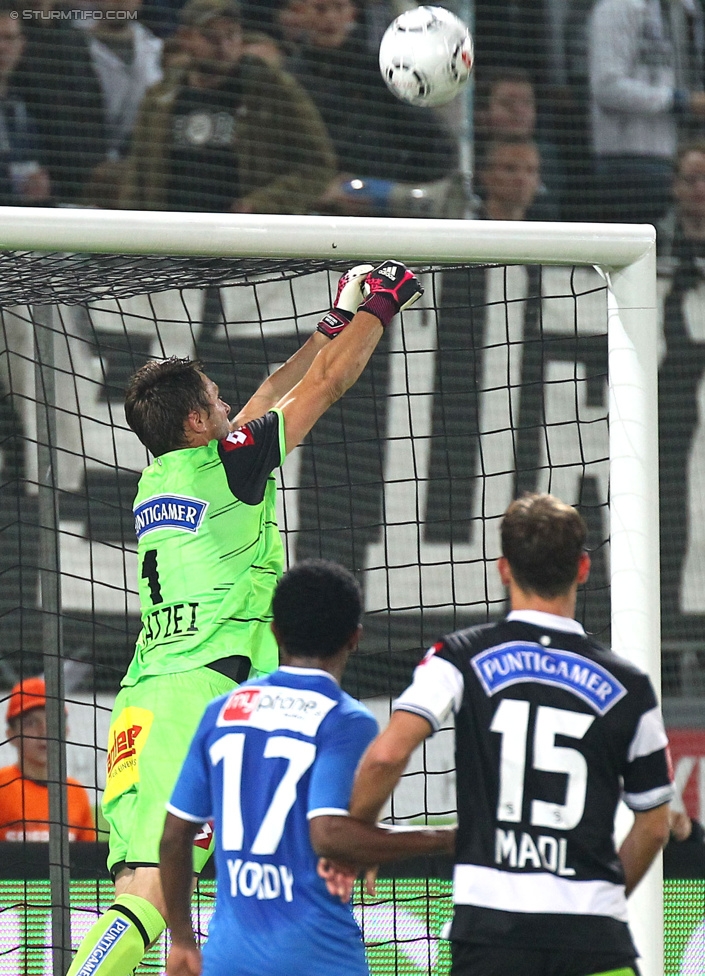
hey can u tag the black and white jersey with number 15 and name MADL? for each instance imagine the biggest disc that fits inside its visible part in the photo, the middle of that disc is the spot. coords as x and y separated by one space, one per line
551 731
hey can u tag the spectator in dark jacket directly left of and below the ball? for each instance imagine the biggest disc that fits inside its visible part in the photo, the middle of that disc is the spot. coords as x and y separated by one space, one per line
342 76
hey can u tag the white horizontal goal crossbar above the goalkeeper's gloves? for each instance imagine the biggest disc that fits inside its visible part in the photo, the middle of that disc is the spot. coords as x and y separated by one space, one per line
285 236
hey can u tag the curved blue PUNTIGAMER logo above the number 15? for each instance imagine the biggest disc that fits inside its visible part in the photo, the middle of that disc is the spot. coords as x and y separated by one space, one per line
519 661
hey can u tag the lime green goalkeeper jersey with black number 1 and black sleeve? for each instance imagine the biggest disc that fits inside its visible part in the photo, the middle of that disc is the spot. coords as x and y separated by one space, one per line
209 552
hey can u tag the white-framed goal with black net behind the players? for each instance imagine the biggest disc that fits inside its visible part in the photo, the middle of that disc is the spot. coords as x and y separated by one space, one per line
522 368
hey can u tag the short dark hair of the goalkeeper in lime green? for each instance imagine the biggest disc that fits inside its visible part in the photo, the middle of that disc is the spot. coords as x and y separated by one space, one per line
159 398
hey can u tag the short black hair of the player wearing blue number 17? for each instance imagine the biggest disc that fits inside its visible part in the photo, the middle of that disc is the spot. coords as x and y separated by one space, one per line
317 607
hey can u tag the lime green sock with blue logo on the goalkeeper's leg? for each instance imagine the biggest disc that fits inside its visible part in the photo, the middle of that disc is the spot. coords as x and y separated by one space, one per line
119 939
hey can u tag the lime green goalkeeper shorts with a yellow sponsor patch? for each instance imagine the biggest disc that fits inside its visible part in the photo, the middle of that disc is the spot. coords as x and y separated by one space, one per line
151 728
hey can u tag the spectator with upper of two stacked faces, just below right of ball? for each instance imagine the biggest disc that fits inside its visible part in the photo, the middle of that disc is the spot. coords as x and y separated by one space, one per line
506 108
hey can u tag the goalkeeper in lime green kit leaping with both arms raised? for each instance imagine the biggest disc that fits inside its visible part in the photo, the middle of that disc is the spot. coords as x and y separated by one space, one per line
209 557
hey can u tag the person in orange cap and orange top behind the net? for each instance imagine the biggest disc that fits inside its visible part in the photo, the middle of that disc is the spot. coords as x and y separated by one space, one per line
24 793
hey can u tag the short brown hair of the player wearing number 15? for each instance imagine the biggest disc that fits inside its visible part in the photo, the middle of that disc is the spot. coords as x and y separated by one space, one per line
543 539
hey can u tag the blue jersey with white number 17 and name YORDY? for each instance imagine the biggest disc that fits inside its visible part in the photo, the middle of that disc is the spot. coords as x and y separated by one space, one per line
273 754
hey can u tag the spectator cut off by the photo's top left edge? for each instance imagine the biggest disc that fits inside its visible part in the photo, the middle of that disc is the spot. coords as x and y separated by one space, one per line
23 180
